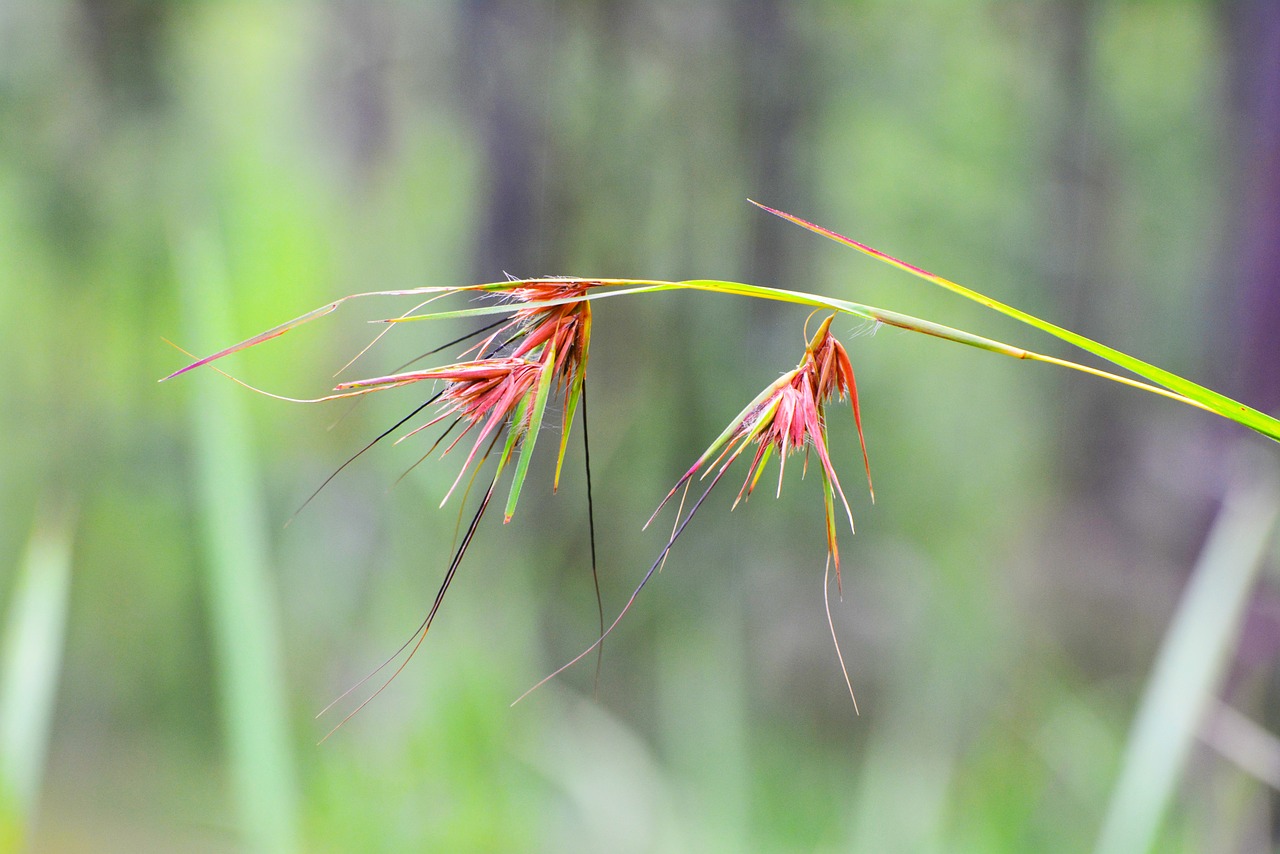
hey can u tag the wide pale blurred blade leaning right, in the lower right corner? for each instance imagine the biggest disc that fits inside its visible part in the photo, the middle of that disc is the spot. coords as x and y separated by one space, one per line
1191 663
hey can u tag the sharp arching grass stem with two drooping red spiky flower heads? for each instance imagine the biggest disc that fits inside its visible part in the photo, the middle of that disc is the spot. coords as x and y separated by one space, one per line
537 349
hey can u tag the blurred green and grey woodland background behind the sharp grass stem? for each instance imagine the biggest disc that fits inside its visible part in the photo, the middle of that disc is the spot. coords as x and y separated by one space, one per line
204 171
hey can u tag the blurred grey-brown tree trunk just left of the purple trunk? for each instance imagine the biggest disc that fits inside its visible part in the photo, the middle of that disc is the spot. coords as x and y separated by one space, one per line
1107 558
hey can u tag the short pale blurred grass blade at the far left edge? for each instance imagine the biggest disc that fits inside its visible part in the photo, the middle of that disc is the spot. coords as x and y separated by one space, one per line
33 652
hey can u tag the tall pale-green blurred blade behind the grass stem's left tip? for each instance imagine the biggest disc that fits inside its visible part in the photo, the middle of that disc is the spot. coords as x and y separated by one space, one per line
241 601
